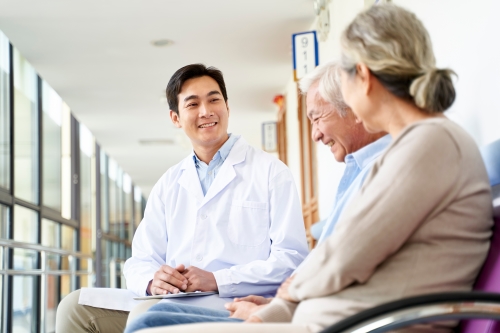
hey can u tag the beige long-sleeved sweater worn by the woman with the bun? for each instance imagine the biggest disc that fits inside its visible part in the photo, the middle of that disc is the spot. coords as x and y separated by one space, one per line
420 224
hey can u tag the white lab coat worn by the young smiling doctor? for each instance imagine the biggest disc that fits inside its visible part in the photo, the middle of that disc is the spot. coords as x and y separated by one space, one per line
248 228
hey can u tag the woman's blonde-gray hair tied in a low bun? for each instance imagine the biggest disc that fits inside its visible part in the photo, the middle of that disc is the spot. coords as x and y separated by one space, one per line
393 43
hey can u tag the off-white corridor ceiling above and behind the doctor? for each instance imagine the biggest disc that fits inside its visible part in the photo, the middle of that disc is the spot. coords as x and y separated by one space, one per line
98 56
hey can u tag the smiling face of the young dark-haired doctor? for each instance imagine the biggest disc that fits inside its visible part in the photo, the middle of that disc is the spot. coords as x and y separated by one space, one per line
203 113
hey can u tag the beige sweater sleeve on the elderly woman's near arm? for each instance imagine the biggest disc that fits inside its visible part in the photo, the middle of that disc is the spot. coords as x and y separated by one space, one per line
407 185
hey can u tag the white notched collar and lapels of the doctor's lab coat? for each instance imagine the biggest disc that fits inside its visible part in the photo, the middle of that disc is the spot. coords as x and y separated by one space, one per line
190 181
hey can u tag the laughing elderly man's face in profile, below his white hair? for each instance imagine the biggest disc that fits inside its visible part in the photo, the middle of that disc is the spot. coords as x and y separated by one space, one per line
341 134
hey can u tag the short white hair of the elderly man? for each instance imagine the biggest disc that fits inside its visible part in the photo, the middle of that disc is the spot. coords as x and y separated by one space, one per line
328 76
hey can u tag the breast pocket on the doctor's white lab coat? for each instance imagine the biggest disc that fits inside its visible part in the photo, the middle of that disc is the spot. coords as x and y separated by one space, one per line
248 223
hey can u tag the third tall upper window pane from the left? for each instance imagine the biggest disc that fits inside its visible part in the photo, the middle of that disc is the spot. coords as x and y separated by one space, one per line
52 106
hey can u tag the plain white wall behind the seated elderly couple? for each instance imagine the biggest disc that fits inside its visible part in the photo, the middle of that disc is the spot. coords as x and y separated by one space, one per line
465 38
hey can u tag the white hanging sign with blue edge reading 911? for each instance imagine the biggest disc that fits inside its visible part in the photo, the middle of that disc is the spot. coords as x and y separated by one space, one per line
305 53
